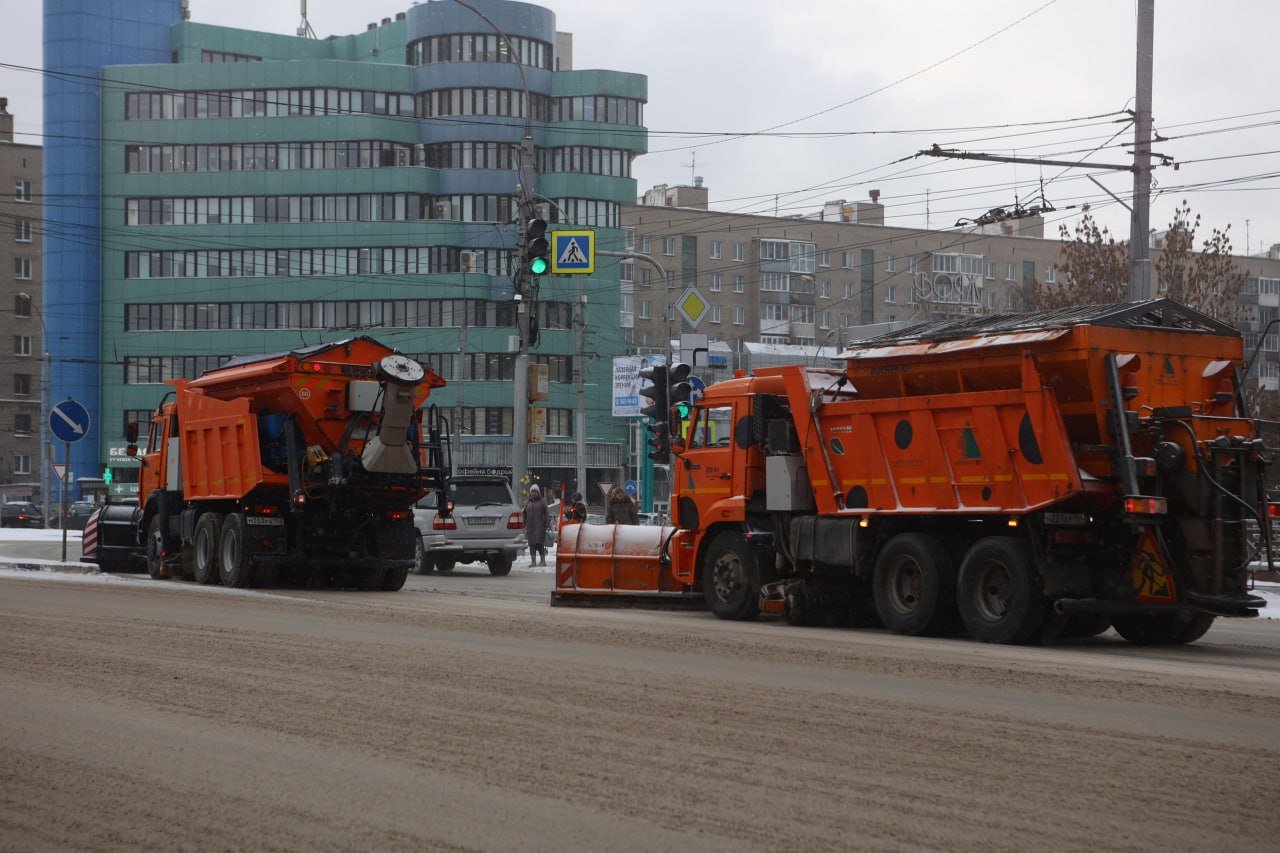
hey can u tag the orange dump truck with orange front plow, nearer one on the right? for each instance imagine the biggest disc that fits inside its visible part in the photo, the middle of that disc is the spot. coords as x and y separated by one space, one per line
1017 478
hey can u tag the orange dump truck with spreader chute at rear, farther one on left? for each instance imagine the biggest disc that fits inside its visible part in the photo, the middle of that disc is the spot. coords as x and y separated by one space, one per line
294 468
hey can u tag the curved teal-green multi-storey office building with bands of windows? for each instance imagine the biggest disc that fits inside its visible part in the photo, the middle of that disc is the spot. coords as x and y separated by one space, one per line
259 193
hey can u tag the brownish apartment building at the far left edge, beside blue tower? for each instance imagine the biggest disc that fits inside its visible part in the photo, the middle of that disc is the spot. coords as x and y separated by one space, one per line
21 341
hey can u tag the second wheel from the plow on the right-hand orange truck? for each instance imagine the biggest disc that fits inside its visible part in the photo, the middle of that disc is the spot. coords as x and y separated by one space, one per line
915 586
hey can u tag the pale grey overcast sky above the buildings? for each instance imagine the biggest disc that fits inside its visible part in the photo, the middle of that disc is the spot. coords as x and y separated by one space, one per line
866 72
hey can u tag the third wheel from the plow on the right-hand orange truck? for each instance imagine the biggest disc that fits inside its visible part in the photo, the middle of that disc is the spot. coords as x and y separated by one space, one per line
1000 594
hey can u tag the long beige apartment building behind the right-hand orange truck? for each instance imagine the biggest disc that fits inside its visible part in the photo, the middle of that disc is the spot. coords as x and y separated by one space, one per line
821 281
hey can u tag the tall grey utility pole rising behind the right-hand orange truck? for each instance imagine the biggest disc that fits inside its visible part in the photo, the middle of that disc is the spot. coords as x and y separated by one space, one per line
1140 230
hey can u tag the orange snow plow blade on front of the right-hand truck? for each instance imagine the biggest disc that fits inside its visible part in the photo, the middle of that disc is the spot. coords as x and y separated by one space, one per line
618 565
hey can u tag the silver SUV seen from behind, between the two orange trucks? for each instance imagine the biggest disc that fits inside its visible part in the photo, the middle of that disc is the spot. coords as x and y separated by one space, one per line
486 526
